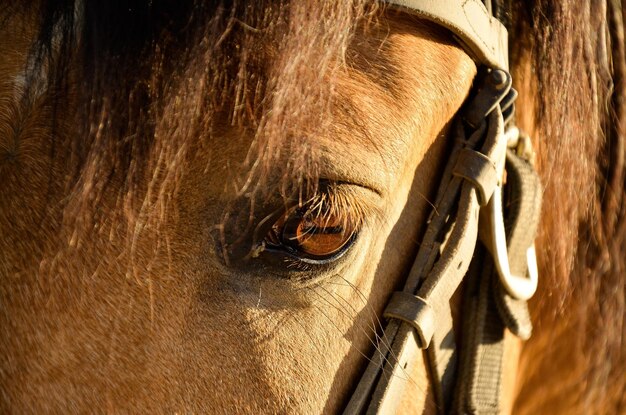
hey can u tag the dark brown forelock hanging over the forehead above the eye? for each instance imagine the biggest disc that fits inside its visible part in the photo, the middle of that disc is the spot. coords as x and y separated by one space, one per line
160 82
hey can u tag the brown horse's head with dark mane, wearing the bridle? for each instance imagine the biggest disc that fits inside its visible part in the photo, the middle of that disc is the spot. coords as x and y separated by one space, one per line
162 164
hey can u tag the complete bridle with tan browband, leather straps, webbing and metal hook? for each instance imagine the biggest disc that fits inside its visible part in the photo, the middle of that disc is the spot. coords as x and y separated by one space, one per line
469 238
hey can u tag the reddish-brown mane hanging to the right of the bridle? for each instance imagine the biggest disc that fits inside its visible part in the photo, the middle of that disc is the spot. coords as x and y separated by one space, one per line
570 64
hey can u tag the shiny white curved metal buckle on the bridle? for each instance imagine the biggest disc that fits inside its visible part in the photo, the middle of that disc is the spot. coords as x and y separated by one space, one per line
492 228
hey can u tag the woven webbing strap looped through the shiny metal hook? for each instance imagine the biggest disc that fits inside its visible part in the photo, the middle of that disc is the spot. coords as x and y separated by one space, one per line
488 309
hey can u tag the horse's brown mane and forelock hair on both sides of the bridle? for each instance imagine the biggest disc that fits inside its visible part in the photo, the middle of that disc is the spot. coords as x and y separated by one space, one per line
568 62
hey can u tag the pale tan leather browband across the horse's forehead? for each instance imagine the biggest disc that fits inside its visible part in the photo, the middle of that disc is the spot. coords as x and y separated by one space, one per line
481 34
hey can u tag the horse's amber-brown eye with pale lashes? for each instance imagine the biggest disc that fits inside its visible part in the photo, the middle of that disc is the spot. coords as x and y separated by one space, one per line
314 235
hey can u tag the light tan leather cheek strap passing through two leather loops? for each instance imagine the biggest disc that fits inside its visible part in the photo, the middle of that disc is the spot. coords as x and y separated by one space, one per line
439 268
